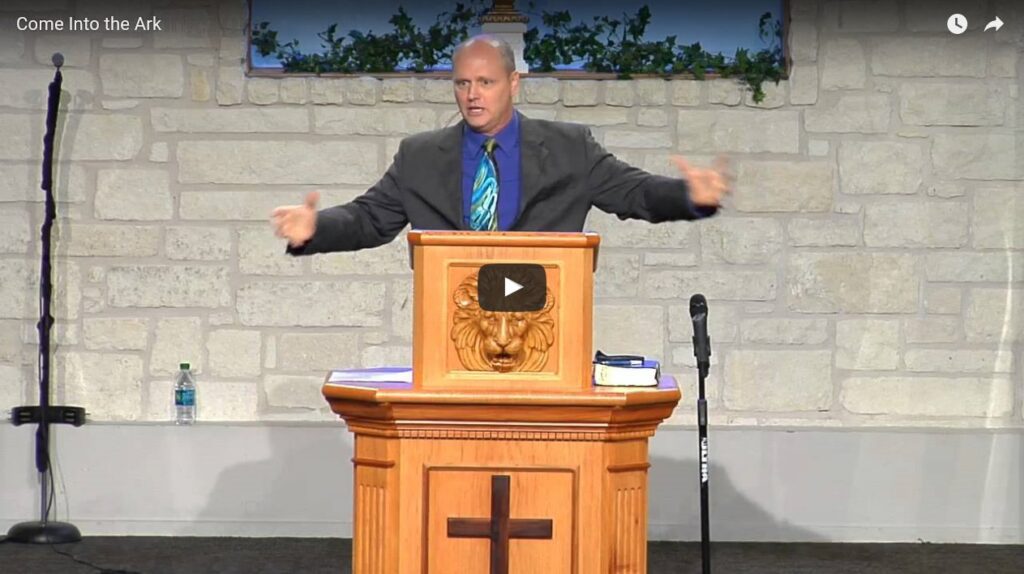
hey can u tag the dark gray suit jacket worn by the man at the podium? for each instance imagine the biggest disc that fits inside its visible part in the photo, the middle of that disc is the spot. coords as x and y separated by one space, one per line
564 172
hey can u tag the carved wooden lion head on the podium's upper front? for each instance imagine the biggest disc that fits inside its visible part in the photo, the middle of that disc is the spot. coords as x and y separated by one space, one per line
500 341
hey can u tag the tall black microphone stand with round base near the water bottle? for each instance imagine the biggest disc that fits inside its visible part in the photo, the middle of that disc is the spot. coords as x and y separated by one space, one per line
46 532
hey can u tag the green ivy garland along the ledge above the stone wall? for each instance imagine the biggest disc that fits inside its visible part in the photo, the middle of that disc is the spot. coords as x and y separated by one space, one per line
607 46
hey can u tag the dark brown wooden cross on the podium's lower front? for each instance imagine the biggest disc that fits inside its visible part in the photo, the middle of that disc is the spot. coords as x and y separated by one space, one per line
500 528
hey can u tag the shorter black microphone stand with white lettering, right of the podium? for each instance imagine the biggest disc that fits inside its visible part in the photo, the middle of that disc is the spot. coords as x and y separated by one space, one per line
702 350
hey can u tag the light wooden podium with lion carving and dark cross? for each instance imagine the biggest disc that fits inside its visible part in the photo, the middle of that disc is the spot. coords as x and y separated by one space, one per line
496 455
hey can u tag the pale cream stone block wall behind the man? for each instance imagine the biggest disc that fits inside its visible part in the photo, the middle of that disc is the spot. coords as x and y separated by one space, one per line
868 271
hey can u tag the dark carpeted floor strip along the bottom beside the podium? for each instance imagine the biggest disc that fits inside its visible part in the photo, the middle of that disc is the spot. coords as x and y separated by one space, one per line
315 556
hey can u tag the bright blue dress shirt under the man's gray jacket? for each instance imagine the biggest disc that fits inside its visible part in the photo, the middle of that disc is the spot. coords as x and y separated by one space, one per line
507 158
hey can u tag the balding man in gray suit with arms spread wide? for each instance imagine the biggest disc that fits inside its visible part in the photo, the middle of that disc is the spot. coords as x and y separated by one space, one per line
497 170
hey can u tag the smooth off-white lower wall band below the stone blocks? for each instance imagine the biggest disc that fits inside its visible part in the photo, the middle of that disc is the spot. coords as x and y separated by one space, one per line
766 484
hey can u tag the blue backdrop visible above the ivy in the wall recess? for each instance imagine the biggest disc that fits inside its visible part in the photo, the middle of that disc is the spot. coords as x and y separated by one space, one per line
720 27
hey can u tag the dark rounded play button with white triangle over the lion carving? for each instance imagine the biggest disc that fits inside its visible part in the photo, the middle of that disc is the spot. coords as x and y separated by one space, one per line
513 287
